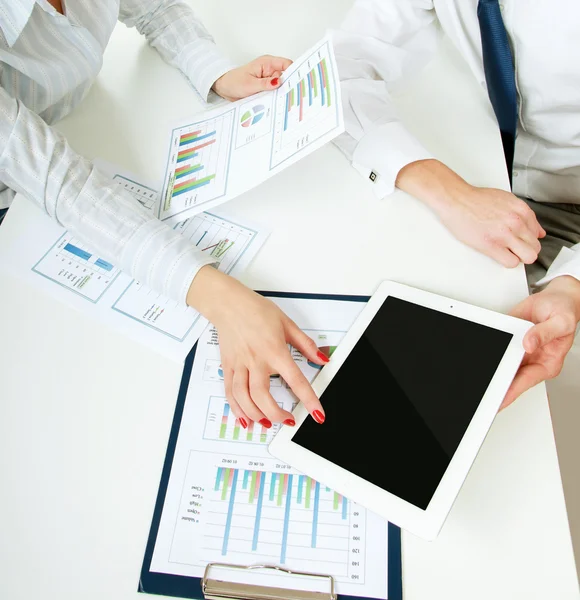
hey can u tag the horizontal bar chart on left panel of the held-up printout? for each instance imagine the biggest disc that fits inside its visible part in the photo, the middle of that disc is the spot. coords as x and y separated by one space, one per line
197 169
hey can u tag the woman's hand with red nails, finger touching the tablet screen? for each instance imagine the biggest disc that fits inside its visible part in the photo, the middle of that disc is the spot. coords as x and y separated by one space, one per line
254 335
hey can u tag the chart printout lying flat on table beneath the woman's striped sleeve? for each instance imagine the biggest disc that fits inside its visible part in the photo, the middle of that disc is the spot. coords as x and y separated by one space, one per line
53 260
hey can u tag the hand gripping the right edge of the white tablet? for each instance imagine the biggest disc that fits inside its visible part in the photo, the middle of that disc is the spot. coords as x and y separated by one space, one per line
556 312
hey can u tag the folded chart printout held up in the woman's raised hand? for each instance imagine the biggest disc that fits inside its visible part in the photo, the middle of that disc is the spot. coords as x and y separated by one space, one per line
222 153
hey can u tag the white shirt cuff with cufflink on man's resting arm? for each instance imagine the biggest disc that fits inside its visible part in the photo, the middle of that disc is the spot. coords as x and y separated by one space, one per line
382 153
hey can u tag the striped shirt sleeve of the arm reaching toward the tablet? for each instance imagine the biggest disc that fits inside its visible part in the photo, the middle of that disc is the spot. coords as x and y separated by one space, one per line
36 160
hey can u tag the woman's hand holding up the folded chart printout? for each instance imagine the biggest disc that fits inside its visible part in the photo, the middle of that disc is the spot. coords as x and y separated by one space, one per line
257 76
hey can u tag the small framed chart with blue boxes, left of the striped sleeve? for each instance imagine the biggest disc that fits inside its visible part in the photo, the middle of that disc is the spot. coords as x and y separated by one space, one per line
73 266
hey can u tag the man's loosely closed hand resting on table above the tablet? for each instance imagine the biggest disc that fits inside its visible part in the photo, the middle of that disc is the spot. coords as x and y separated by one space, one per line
491 221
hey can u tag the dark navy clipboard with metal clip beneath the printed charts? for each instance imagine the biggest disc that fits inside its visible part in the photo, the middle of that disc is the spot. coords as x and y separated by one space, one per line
209 586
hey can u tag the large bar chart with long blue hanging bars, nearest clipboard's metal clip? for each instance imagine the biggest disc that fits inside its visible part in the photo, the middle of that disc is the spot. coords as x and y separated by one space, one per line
251 514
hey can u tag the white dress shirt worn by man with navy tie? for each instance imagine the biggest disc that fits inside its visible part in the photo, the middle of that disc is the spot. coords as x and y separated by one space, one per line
383 41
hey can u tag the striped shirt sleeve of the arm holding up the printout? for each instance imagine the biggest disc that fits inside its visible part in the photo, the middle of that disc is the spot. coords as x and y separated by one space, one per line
172 28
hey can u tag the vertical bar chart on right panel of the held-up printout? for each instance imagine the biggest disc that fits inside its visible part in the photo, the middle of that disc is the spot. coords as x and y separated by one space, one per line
306 107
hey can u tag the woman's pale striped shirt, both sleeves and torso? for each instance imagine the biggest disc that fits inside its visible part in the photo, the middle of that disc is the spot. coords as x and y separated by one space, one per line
48 62
